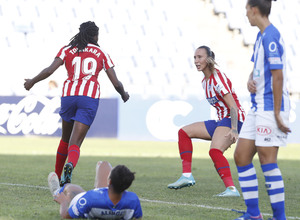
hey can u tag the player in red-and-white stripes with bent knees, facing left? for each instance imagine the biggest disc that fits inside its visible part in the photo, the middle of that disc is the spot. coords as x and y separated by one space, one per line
222 133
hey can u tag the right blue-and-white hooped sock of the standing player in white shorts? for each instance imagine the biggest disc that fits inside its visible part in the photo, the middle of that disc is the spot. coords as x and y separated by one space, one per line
275 188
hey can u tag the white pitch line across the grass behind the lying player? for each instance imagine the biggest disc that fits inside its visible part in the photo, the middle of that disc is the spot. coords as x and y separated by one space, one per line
151 201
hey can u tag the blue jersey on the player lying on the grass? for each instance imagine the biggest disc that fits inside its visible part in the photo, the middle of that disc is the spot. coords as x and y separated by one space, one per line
96 204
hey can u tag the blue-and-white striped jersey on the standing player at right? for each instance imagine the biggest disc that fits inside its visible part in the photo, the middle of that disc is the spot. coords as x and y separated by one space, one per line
269 54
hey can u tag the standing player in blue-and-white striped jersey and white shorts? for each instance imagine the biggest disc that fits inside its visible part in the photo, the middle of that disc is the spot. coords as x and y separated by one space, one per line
266 125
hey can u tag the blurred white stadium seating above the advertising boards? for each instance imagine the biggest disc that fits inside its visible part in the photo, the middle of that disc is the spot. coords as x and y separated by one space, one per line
151 42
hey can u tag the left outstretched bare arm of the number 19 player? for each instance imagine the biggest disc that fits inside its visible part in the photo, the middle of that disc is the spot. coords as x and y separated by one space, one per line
45 73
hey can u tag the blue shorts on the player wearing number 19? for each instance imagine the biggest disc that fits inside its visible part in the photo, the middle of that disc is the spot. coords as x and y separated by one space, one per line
79 108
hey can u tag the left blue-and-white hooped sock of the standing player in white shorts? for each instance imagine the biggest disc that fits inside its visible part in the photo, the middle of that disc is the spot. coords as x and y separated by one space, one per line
249 185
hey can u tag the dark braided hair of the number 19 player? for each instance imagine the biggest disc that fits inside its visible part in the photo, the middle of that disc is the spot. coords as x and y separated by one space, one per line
87 32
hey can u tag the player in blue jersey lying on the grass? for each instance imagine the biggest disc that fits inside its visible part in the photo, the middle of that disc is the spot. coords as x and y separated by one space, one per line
109 199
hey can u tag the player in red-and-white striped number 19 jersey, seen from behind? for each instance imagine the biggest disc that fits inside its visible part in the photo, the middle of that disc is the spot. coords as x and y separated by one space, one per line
83 59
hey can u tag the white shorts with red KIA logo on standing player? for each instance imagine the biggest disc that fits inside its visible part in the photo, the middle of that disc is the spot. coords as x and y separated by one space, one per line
262 127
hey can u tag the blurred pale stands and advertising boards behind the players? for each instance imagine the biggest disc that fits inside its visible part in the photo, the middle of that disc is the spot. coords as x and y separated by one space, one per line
151 43
